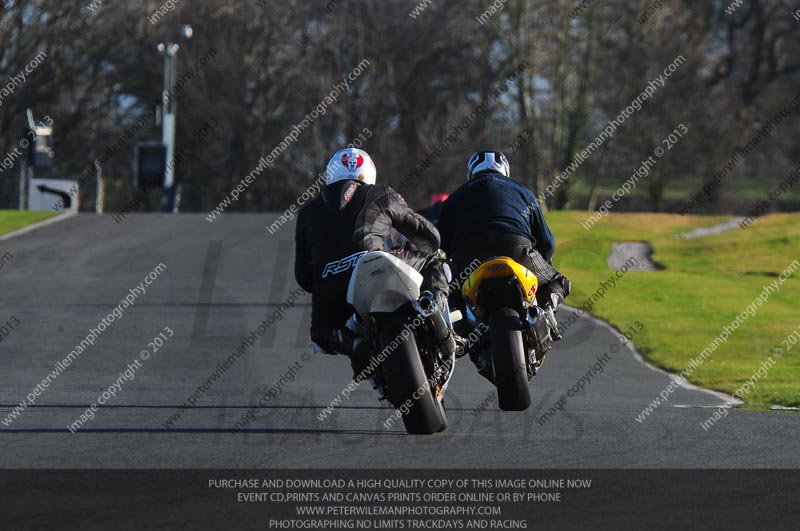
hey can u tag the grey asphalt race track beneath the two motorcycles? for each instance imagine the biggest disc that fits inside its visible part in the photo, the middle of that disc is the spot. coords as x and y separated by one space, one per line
221 280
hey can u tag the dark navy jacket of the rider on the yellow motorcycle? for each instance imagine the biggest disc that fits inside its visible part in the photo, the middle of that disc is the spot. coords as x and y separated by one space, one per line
492 202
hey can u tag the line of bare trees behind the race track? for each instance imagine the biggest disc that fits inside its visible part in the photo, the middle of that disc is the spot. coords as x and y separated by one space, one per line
435 86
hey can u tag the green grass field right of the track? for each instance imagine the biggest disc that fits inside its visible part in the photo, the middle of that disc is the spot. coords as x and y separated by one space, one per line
704 284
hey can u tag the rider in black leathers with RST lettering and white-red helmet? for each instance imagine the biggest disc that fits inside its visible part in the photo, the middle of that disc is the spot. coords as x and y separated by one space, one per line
350 216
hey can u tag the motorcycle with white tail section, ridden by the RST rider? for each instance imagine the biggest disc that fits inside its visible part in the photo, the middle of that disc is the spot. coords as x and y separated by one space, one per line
411 367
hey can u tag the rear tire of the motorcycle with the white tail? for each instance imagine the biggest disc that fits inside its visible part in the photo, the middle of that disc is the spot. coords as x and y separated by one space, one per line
405 375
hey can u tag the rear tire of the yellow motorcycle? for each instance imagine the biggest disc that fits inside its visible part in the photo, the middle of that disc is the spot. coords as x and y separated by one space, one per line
508 360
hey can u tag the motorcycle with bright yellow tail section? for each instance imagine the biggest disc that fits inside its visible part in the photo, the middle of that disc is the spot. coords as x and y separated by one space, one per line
501 295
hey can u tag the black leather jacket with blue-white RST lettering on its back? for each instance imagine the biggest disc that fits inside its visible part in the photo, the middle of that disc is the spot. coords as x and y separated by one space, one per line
347 219
